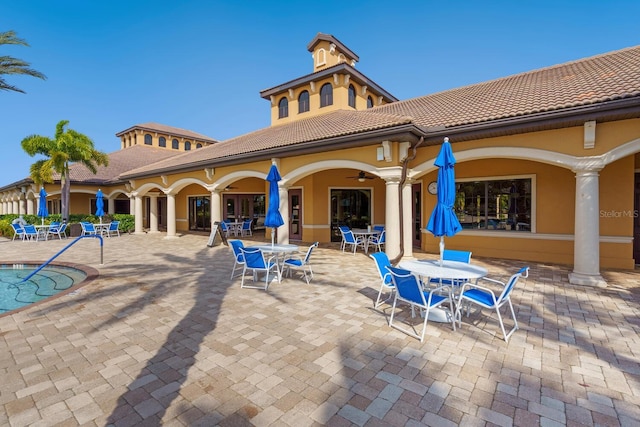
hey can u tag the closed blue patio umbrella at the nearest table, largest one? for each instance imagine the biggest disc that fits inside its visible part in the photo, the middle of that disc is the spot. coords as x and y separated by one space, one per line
443 221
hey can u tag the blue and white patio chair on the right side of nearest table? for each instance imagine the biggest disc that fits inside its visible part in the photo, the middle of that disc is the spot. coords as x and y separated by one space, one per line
486 298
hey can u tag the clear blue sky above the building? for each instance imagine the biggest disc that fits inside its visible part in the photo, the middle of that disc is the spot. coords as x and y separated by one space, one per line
200 65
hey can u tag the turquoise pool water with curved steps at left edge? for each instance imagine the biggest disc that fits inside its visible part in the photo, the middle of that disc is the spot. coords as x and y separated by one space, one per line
53 279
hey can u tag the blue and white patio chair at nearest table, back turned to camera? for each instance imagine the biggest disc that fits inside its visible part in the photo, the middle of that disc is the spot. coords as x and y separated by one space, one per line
409 290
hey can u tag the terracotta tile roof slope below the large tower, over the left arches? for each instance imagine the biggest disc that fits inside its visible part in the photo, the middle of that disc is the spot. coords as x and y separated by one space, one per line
333 124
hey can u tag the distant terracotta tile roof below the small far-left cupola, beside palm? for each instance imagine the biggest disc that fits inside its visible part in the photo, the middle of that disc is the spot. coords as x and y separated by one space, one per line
119 162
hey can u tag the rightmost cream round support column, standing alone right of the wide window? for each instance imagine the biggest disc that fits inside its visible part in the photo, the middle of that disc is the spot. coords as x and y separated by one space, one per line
586 245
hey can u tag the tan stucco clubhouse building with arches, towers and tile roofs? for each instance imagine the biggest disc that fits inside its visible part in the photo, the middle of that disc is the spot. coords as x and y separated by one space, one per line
547 164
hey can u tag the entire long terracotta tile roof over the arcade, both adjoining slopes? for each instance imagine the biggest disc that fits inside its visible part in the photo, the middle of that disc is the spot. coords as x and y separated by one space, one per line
606 77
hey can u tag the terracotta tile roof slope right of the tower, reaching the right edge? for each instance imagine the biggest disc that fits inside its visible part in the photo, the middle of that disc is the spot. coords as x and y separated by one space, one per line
597 79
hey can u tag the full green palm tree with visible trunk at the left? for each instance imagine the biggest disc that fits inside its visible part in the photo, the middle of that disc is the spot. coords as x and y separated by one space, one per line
66 147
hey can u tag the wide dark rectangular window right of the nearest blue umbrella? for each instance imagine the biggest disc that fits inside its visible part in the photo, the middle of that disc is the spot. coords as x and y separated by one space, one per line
494 205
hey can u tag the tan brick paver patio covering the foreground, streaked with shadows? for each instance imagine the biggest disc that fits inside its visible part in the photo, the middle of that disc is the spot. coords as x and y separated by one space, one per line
163 336
